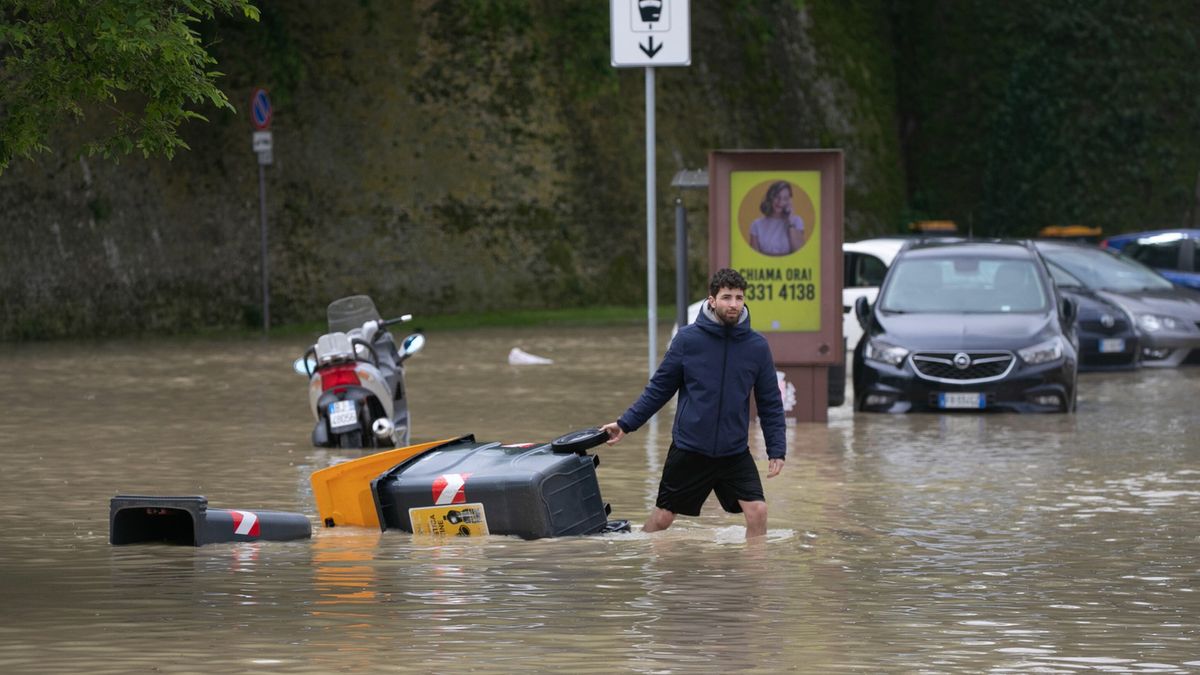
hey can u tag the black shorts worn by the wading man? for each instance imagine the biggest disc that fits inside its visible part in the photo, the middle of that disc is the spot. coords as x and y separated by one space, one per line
689 477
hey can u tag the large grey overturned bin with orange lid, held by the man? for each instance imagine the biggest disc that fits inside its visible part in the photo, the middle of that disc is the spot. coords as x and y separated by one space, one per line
464 487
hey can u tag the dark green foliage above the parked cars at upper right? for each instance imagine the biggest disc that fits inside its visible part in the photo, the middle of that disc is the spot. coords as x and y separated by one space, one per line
1017 116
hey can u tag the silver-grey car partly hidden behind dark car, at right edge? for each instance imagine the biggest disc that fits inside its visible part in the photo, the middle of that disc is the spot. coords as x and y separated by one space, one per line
1167 316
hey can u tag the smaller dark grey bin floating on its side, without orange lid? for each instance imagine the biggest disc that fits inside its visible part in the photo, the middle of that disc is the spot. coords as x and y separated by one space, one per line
189 522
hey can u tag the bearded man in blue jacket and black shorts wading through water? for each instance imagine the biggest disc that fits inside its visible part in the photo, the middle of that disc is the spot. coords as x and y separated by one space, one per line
713 365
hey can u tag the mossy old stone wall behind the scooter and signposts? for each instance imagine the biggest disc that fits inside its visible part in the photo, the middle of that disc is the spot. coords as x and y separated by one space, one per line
447 157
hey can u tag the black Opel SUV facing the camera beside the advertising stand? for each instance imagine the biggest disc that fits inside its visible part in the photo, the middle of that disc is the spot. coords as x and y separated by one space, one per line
968 326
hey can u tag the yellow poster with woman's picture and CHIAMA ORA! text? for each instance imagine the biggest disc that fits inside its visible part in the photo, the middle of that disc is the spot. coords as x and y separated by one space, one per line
776 246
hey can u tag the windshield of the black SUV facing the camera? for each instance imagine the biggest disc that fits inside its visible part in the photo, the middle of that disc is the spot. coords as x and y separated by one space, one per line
971 285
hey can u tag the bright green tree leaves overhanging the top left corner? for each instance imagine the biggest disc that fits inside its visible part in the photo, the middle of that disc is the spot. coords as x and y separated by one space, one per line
140 65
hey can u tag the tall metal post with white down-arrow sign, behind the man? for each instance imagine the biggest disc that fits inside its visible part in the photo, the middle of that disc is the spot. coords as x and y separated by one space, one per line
650 34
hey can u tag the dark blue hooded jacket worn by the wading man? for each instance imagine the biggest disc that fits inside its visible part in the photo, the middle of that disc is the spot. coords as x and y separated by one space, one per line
715 368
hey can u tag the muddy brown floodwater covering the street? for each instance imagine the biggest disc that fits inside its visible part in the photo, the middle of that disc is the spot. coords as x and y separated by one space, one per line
926 543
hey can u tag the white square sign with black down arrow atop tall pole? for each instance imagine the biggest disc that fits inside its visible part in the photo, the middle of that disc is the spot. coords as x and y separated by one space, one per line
651 33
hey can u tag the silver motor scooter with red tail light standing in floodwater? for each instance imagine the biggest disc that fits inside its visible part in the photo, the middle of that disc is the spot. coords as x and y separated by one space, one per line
357 379
